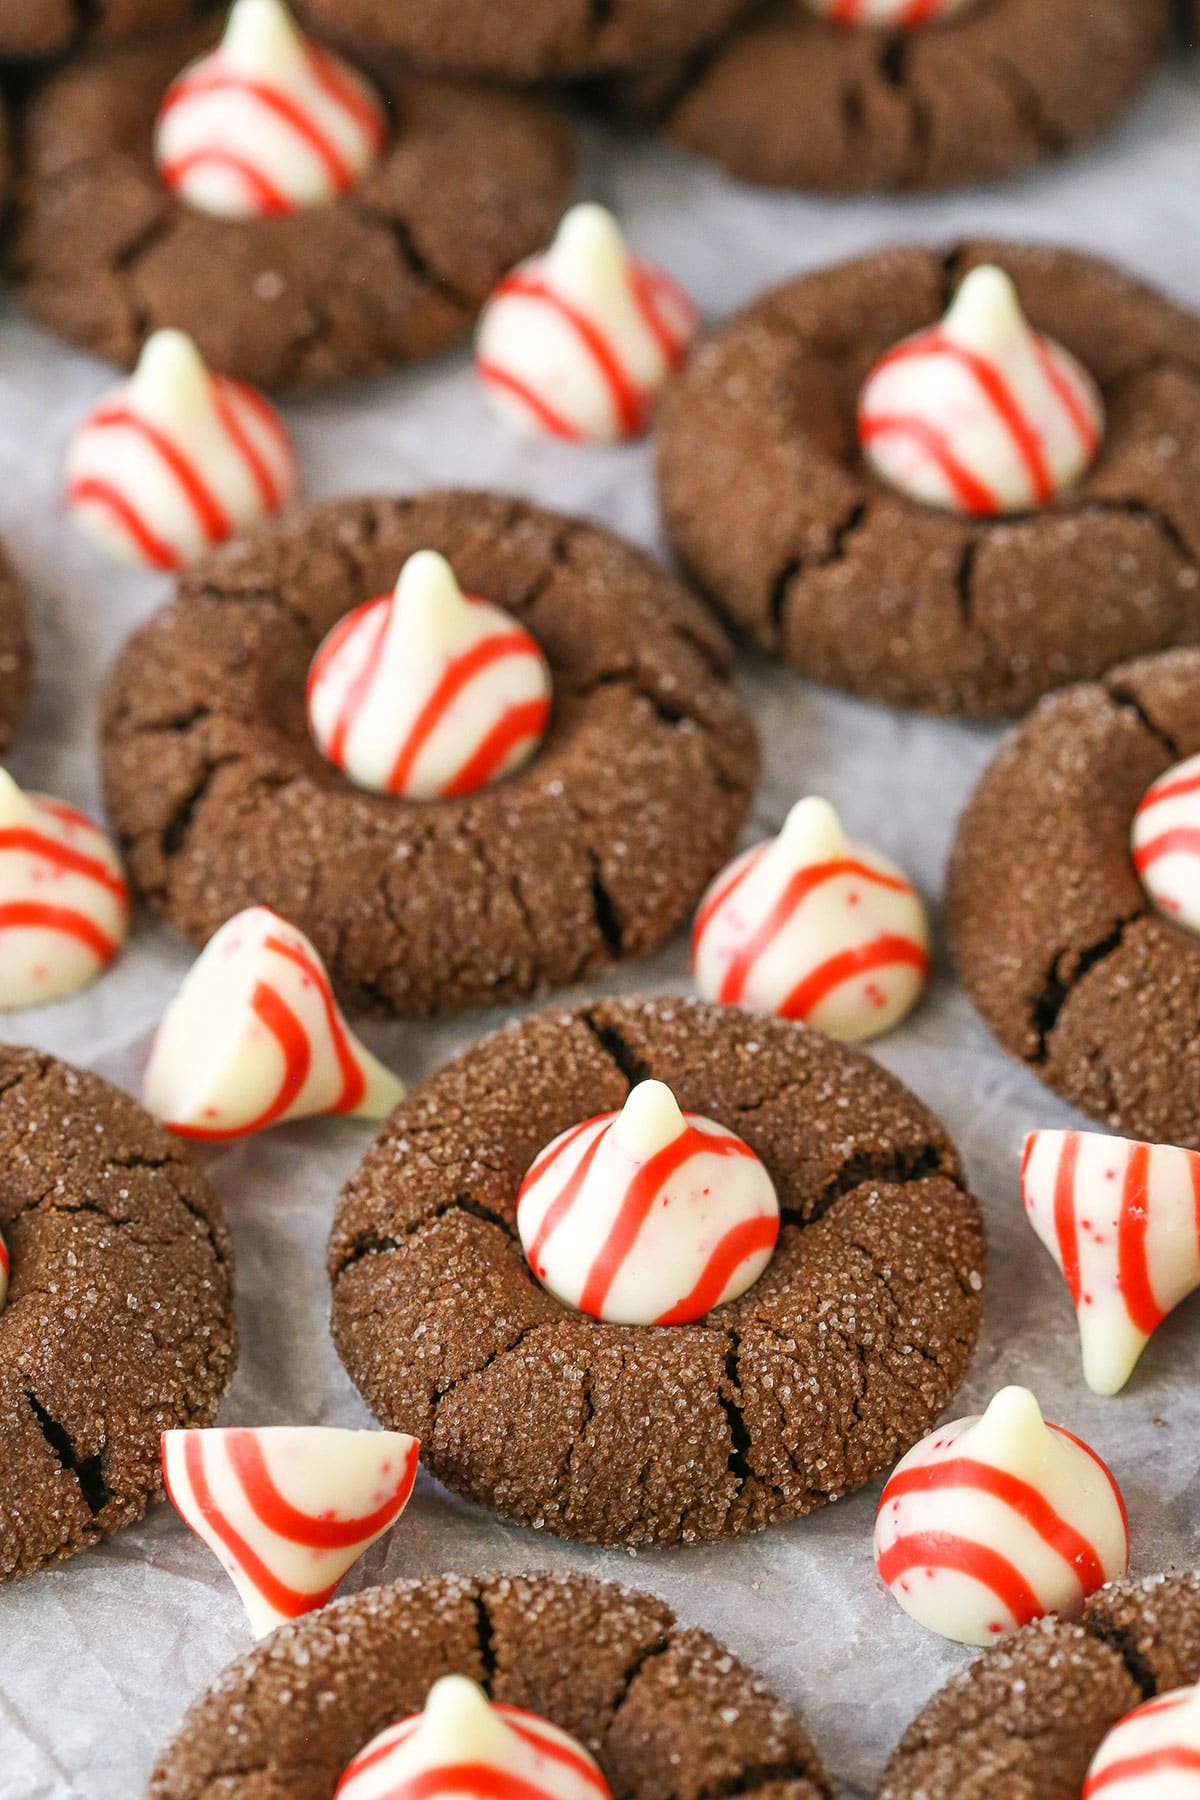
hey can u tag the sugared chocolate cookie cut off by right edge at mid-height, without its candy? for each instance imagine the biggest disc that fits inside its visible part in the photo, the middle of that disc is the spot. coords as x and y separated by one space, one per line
1066 958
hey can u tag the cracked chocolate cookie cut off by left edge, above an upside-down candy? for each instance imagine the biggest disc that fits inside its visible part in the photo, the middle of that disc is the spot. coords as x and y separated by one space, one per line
120 1318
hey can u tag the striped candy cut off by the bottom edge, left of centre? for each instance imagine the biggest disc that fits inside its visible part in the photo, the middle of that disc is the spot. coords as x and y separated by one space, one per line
465 1745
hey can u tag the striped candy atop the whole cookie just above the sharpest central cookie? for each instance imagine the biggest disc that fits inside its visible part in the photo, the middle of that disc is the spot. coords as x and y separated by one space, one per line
427 692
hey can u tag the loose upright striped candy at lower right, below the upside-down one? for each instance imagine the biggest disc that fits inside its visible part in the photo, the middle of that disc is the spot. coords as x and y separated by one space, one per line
996 1520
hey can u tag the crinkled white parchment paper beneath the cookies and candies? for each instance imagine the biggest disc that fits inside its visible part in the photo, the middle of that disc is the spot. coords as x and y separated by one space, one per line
98 1659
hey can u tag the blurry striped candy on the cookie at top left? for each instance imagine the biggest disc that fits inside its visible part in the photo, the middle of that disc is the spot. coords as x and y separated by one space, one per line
267 123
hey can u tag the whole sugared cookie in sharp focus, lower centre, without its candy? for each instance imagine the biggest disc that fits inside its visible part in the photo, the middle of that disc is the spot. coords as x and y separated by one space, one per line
834 1363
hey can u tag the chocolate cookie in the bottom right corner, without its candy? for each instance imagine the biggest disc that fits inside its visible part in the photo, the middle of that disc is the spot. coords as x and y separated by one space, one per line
1026 1718
